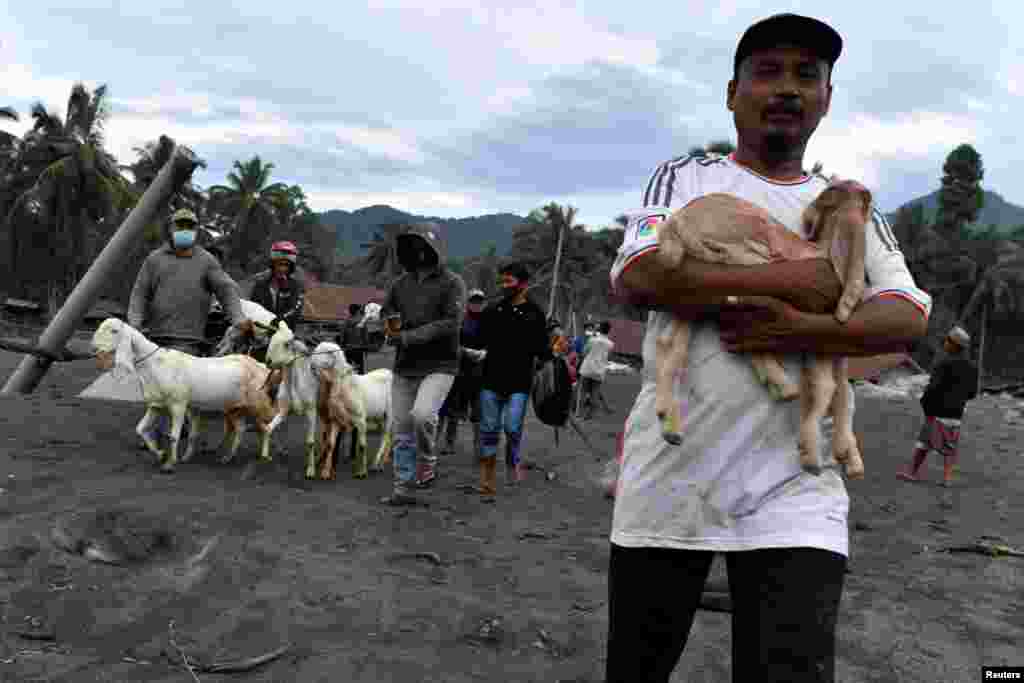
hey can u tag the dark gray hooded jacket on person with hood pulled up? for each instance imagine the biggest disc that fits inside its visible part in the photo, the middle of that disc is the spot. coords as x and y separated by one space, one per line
432 306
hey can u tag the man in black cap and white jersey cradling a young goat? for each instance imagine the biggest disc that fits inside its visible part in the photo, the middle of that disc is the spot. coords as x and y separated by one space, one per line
735 486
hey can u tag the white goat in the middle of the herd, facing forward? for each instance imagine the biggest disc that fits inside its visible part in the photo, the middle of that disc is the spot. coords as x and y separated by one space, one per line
300 392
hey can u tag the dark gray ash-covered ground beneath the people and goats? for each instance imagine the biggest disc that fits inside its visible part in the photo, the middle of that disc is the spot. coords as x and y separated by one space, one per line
328 570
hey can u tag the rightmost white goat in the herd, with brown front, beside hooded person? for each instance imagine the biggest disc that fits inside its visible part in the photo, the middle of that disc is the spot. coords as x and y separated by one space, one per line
352 402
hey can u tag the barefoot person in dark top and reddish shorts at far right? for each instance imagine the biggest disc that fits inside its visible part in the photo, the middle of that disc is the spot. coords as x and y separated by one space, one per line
954 383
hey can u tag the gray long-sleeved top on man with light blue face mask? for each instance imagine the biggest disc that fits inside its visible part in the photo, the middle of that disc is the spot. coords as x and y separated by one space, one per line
172 296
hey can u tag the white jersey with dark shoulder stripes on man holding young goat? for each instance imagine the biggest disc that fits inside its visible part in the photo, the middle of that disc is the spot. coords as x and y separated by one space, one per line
736 482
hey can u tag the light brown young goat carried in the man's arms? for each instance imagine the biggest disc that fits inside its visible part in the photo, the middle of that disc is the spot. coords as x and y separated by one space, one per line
723 229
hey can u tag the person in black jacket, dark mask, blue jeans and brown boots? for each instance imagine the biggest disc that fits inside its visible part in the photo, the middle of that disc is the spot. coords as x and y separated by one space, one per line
515 337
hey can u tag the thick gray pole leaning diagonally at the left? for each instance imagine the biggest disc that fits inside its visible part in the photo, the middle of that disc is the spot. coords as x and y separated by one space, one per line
172 178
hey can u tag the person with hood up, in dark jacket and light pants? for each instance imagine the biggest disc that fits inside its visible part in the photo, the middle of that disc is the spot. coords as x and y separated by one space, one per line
429 301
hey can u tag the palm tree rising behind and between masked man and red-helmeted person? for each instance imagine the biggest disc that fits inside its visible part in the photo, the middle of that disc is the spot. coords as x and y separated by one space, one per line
249 205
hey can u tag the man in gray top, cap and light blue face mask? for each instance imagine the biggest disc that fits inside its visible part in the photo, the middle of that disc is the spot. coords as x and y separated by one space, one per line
170 302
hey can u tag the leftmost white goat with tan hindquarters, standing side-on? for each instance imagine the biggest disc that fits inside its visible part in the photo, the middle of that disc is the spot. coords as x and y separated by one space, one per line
175 382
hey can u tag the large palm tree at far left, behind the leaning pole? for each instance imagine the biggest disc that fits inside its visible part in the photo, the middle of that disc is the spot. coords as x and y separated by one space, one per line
76 186
